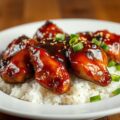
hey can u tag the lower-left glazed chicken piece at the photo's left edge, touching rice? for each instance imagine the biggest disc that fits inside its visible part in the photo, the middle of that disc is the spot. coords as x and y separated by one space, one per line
17 69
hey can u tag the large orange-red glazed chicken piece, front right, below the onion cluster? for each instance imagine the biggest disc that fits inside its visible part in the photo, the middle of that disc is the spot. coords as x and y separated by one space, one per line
90 63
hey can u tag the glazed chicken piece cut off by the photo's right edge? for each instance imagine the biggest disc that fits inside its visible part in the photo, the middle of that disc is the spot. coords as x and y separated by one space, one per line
113 42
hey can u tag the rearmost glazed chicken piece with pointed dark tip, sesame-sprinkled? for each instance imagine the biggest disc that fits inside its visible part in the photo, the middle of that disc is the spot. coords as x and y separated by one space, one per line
46 35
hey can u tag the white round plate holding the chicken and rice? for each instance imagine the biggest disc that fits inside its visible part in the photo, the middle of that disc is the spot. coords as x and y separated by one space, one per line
21 108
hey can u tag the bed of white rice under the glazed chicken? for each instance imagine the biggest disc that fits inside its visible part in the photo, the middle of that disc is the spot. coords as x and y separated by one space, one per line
80 91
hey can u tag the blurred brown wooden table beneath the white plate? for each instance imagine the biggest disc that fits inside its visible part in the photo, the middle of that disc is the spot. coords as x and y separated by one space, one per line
15 12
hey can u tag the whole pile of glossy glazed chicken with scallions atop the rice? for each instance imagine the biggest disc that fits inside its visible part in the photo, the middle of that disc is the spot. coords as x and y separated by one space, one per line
45 57
